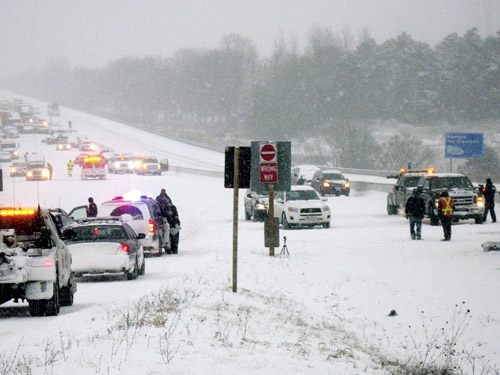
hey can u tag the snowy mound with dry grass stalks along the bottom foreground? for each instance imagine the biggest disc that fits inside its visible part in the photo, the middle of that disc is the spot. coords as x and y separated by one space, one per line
195 325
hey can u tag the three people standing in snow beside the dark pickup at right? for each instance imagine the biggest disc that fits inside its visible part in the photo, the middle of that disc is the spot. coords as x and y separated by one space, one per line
415 210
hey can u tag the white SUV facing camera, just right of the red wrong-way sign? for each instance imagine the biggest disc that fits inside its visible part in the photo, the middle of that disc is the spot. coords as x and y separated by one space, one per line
302 206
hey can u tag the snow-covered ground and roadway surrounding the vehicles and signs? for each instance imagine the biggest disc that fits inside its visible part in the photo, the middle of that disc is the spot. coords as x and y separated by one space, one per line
324 309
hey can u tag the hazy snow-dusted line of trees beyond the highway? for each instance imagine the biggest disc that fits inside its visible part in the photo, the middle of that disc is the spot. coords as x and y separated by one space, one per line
336 85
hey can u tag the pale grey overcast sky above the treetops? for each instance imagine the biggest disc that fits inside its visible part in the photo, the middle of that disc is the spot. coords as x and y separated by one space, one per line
90 33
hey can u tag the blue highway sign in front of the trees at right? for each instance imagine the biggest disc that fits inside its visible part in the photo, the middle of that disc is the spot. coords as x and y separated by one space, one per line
463 146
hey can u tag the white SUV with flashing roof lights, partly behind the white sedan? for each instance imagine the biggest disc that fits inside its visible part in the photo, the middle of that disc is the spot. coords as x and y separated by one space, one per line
143 214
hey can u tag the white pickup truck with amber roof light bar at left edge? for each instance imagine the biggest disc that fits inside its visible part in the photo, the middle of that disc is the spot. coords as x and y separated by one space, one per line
35 264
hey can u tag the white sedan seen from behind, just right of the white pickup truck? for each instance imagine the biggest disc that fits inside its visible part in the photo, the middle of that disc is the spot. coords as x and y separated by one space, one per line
105 245
